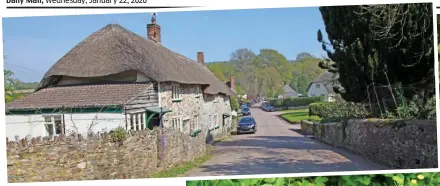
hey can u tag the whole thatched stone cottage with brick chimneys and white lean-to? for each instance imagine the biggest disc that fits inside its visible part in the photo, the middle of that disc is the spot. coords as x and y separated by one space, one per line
117 78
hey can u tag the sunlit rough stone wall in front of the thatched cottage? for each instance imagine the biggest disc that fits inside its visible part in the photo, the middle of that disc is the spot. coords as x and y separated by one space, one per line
98 157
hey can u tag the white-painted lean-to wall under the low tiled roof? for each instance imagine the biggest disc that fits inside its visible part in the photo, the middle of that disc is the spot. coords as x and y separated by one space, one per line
33 125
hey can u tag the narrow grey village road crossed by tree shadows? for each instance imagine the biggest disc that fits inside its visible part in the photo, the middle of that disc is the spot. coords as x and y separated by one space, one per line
276 148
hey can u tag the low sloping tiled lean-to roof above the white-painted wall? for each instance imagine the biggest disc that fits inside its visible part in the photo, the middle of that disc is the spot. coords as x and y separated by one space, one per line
80 96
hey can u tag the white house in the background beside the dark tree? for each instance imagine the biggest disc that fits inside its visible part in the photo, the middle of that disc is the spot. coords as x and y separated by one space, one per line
323 86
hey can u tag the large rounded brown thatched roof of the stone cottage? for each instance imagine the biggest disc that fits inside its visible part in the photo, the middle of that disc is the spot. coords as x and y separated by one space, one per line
114 49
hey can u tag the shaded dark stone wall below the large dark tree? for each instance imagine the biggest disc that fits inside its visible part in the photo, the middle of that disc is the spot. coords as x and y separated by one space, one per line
396 143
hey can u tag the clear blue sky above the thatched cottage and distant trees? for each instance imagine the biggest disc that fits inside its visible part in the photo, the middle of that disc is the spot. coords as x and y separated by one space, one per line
33 44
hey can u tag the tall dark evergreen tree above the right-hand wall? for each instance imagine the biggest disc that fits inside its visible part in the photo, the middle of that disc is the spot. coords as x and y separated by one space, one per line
378 44
